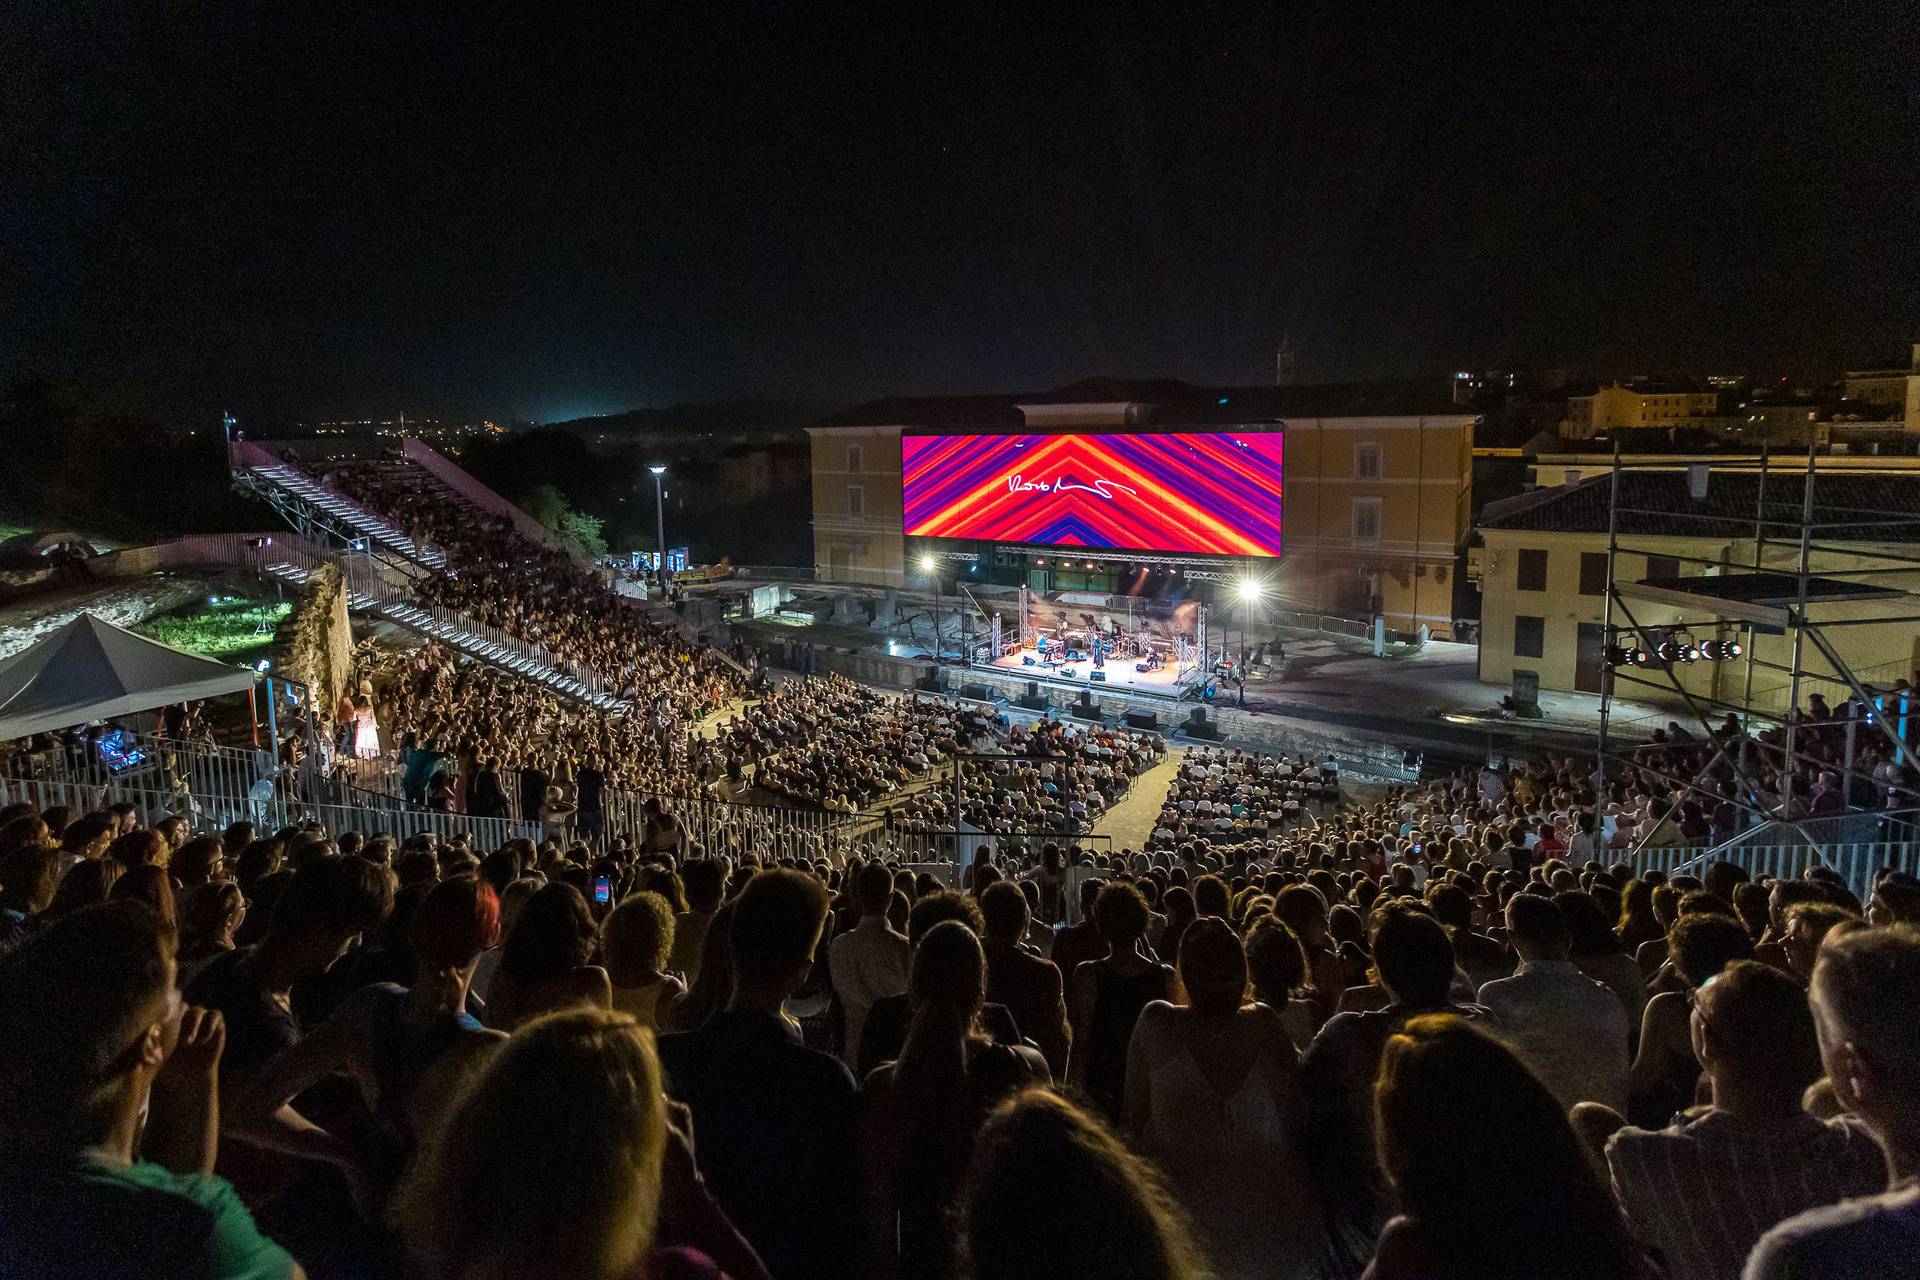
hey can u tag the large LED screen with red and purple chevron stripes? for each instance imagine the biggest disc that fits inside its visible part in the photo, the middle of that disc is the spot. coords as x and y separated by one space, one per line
1191 492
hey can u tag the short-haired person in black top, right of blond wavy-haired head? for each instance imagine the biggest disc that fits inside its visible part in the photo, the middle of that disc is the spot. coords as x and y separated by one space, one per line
775 1122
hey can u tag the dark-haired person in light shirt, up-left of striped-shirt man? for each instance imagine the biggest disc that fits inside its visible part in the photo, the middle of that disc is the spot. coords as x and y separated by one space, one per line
1568 1030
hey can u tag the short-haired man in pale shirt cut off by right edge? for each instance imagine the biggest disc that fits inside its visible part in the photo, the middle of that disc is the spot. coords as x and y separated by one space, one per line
1865 993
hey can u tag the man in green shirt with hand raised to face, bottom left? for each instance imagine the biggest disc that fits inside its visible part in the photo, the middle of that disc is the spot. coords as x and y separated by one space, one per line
93 1033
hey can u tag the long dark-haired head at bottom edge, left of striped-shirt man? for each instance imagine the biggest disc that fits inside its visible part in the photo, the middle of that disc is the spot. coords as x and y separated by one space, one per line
1495 1193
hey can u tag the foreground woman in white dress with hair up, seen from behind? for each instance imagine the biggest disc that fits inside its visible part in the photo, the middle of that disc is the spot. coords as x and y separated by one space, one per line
1214 1097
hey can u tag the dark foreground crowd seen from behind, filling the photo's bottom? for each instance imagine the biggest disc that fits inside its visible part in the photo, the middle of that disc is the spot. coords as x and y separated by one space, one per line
454 1062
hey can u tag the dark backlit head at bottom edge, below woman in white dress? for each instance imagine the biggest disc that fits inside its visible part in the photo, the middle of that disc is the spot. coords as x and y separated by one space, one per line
1053 1193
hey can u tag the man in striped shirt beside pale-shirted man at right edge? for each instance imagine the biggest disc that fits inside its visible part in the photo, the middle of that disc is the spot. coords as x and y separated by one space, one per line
1706 1189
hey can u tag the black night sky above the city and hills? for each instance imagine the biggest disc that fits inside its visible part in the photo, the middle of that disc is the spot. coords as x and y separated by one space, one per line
350 208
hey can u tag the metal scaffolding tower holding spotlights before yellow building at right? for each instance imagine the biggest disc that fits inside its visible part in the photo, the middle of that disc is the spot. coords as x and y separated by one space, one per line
1808 557
